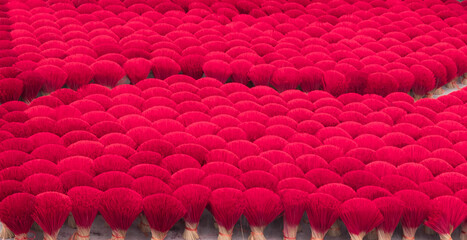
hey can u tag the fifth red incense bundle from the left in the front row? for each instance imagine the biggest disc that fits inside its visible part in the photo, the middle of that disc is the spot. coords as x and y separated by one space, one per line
162 212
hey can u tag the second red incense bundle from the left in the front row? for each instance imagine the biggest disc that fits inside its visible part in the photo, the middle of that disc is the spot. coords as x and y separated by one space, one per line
51 209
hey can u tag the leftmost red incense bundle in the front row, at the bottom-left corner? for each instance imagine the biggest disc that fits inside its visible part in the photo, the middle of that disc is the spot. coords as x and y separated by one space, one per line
15 213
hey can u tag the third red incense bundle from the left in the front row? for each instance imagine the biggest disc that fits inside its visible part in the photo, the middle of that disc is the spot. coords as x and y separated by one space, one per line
85 201
